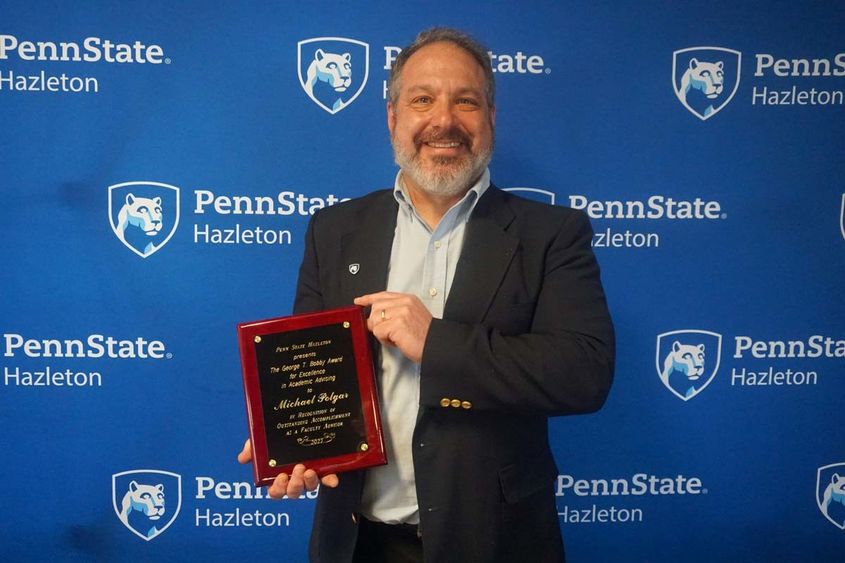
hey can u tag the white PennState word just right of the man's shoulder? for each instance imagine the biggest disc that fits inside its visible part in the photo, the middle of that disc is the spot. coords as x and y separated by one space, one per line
656 207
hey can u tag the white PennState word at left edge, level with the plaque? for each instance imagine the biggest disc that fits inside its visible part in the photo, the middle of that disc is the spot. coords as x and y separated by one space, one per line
95 346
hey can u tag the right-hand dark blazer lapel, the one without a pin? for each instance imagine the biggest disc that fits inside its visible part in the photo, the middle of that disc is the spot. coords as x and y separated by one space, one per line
488 250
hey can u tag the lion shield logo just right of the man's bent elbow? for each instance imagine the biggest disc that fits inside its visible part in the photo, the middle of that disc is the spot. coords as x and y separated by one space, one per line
687 360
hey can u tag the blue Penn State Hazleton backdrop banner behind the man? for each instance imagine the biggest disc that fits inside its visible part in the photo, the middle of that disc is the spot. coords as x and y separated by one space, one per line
159 163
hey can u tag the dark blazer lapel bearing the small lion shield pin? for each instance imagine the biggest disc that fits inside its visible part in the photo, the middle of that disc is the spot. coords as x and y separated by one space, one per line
366 248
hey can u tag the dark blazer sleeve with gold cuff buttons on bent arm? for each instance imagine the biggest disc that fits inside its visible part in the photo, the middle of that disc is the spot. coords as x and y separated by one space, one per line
563 363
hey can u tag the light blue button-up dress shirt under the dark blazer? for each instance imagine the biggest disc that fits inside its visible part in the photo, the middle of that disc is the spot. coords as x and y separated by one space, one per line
422 263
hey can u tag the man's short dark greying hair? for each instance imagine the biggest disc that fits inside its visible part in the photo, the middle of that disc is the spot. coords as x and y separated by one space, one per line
440 35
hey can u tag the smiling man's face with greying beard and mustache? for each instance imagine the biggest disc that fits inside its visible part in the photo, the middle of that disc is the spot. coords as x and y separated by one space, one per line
441 126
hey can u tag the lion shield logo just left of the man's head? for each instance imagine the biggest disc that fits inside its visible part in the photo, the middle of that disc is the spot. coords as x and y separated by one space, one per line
333 70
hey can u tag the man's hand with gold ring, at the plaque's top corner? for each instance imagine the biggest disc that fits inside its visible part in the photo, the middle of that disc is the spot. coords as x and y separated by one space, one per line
398 319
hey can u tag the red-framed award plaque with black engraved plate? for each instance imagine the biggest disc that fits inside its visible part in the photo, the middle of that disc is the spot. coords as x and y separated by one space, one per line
310 394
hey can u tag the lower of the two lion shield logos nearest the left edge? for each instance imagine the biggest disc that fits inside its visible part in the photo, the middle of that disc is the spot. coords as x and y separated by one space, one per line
147 501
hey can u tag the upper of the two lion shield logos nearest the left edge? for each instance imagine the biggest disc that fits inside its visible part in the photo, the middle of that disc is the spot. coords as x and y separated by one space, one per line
144 215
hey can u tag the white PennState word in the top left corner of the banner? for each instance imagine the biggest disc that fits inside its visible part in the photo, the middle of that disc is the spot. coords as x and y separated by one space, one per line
92 50
